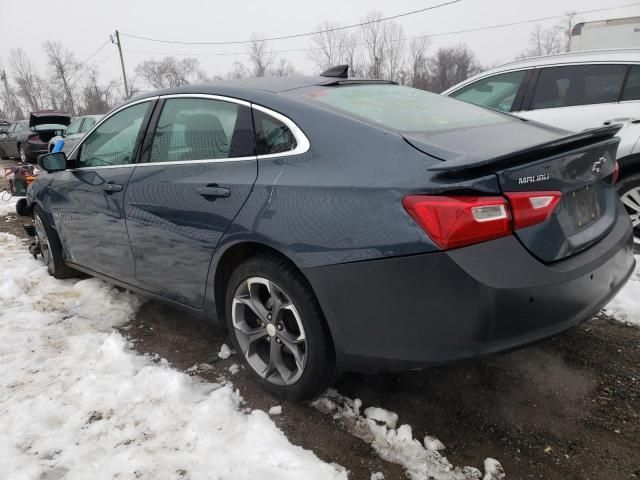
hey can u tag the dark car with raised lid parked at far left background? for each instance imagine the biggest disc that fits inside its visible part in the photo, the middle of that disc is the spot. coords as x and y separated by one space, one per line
27 139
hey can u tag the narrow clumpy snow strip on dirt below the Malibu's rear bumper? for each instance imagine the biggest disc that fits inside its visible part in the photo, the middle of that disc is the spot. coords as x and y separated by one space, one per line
398 445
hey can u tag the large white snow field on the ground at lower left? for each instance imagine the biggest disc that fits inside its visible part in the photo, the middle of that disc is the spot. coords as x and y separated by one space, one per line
75 402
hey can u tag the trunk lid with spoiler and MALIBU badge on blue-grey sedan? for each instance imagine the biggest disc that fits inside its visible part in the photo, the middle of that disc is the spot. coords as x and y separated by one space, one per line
580 166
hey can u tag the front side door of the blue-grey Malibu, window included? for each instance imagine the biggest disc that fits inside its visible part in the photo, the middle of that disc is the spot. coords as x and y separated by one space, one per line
88 202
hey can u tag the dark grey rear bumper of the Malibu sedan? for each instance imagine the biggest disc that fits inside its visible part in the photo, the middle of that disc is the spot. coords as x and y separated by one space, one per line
415 311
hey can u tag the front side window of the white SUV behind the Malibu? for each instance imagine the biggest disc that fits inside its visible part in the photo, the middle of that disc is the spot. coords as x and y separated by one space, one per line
498 91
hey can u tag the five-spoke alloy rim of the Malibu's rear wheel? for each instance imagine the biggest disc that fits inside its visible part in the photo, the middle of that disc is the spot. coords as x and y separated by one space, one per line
269 331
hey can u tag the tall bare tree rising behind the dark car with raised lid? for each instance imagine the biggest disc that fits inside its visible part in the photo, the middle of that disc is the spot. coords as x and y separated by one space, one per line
64 71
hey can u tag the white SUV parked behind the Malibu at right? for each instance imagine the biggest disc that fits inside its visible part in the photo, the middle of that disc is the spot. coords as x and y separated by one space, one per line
572 91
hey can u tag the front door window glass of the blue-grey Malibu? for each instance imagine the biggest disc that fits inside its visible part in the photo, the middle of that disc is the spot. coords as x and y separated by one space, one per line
113 142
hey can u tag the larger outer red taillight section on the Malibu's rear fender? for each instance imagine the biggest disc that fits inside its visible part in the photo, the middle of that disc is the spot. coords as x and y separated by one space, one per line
457 221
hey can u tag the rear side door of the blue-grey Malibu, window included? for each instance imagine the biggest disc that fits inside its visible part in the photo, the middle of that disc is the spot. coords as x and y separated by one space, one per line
198 168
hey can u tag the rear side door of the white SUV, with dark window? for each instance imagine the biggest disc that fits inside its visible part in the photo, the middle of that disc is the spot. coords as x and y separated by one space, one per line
577 97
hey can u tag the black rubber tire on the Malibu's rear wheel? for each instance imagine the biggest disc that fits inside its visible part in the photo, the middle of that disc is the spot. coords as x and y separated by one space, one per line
319 366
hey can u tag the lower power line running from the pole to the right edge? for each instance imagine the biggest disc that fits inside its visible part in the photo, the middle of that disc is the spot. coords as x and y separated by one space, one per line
453 32
